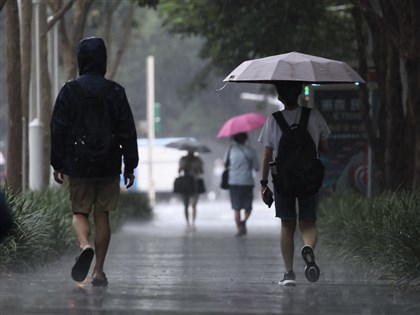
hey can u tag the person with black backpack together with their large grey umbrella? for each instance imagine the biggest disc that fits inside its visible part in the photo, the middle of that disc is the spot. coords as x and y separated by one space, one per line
287 72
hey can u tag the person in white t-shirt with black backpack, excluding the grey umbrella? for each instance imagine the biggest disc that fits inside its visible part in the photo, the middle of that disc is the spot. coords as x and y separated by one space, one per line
292 138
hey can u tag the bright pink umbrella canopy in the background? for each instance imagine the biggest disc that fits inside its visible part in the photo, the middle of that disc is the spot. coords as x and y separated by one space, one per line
241 123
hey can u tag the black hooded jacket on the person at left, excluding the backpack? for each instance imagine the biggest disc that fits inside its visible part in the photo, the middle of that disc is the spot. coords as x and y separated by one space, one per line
91 57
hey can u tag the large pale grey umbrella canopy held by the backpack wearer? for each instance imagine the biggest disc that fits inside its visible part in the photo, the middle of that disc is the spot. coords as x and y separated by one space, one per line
294 66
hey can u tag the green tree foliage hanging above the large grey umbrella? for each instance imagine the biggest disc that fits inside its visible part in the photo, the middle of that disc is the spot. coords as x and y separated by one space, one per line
235 31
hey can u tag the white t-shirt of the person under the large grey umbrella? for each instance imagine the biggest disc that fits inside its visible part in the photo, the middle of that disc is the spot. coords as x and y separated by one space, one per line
271 132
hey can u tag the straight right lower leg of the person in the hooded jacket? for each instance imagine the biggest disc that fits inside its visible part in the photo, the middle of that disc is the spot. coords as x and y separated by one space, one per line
102 239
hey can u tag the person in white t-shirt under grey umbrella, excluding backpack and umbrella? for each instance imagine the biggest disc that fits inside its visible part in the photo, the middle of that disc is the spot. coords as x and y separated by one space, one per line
288 94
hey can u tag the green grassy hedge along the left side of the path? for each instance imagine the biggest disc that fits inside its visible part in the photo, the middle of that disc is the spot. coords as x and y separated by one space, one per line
43 229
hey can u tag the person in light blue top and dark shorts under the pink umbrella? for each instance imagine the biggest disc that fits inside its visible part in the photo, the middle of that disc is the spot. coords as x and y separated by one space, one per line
241 160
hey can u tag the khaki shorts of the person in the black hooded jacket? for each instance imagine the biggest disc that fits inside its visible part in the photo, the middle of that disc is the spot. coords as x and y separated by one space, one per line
100 194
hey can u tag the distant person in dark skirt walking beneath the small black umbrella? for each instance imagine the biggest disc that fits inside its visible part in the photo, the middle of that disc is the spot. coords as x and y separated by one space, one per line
191 167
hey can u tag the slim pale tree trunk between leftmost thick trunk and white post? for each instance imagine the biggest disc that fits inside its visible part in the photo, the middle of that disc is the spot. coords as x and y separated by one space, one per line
26 50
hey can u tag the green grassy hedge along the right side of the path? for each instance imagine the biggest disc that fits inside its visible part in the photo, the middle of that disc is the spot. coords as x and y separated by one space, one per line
382 233
